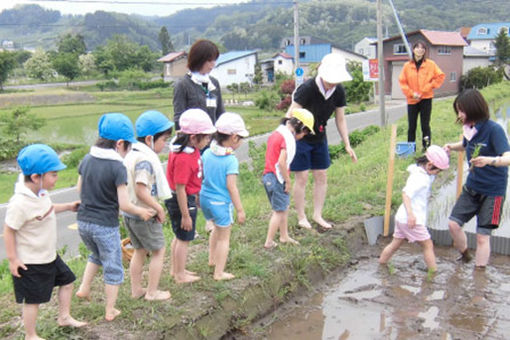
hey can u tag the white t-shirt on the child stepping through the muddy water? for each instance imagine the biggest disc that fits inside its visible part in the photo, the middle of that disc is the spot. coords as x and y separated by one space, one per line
418 189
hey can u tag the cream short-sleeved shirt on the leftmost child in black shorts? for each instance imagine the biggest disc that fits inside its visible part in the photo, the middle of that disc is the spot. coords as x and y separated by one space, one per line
34 220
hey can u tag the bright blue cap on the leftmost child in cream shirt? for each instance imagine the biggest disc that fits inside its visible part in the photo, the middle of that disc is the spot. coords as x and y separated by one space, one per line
39 159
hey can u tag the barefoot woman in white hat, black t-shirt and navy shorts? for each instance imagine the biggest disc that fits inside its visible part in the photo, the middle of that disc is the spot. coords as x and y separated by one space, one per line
322 96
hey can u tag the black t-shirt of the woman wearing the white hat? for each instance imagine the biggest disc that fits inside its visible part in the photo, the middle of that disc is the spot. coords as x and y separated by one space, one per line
309 97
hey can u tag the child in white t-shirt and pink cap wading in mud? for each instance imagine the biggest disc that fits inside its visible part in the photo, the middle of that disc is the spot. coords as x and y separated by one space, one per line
411 217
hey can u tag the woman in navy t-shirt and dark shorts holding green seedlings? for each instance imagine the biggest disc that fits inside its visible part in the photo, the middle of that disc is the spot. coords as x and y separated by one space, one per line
485 189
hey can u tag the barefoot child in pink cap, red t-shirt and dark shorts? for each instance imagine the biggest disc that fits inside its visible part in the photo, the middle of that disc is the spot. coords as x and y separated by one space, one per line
184 174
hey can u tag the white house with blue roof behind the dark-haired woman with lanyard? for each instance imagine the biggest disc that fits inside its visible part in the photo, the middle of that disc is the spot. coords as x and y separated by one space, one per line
235 67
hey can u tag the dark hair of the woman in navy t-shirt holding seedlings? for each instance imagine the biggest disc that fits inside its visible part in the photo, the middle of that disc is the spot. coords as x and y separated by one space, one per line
472 103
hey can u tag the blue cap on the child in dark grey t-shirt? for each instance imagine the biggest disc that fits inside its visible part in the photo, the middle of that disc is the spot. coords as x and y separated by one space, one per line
115 126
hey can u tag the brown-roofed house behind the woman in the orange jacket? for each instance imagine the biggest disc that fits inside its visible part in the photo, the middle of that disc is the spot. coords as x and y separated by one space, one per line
444 48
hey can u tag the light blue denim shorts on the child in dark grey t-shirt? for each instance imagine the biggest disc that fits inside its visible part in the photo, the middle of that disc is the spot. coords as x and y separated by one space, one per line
104 245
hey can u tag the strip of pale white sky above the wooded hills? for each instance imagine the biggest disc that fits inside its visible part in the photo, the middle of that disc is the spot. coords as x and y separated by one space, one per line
142 7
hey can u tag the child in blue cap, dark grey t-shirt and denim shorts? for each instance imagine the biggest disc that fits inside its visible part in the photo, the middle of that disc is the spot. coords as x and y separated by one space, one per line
103 190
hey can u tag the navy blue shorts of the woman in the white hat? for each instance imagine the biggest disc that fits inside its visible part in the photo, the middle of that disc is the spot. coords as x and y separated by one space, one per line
314 156
